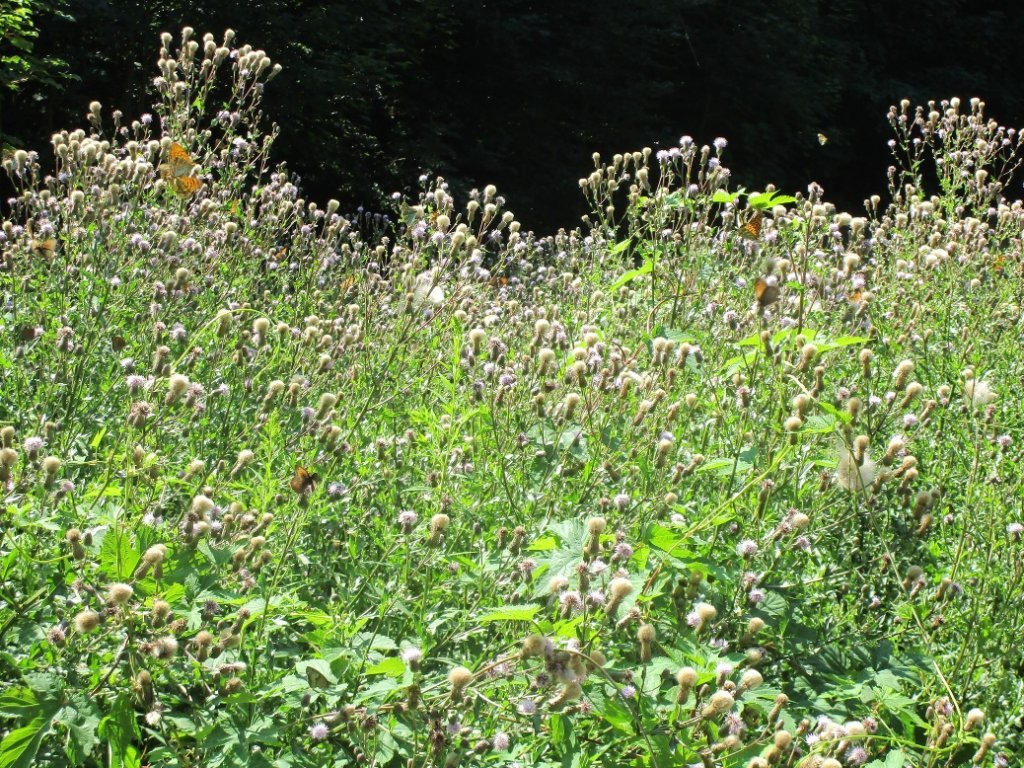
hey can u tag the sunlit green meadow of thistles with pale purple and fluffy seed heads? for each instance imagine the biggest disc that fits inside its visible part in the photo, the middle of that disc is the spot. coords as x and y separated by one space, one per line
285 488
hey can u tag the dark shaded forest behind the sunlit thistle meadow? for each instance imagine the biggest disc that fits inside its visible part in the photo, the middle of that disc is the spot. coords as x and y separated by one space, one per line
521 95
